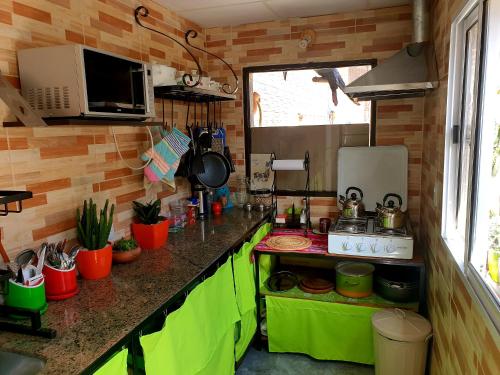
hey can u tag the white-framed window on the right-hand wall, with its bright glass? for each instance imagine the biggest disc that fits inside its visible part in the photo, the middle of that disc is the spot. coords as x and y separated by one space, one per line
471 201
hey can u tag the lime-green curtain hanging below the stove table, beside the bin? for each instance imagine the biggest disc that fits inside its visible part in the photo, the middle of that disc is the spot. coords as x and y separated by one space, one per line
323 330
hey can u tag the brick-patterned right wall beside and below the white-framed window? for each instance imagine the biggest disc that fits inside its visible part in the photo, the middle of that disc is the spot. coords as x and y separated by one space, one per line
464 342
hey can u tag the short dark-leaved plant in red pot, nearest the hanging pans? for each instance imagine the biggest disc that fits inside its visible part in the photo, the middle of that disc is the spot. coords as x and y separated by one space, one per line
151 229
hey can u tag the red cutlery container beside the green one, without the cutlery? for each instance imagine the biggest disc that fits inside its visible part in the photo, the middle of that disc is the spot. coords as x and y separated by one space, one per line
59 284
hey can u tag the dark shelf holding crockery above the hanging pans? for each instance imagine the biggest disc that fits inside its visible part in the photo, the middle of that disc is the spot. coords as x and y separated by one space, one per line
191 94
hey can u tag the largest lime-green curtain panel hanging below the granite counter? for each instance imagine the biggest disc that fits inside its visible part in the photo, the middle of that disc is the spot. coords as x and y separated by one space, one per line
198 338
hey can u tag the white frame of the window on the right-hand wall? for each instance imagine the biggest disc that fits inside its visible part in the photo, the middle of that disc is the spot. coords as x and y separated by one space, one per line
462 252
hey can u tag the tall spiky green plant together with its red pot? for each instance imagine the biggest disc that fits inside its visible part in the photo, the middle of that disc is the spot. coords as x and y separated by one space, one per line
94 261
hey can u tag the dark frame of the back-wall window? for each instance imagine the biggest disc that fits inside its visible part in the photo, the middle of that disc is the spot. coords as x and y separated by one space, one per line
286 67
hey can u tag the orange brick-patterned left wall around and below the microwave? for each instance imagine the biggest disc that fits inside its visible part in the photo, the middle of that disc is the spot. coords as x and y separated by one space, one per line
62 166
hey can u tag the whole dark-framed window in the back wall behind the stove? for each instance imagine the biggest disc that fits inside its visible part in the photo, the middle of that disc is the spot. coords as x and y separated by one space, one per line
291 109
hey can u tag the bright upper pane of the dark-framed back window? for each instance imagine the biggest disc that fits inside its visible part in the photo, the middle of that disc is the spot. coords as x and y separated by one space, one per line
307 97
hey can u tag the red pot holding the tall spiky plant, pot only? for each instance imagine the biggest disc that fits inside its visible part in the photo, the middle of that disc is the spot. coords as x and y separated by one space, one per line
95 264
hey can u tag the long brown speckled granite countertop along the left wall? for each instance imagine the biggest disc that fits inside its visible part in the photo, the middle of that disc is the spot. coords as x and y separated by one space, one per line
105 311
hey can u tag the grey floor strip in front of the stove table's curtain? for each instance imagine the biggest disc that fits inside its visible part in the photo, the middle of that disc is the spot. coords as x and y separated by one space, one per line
264 363
